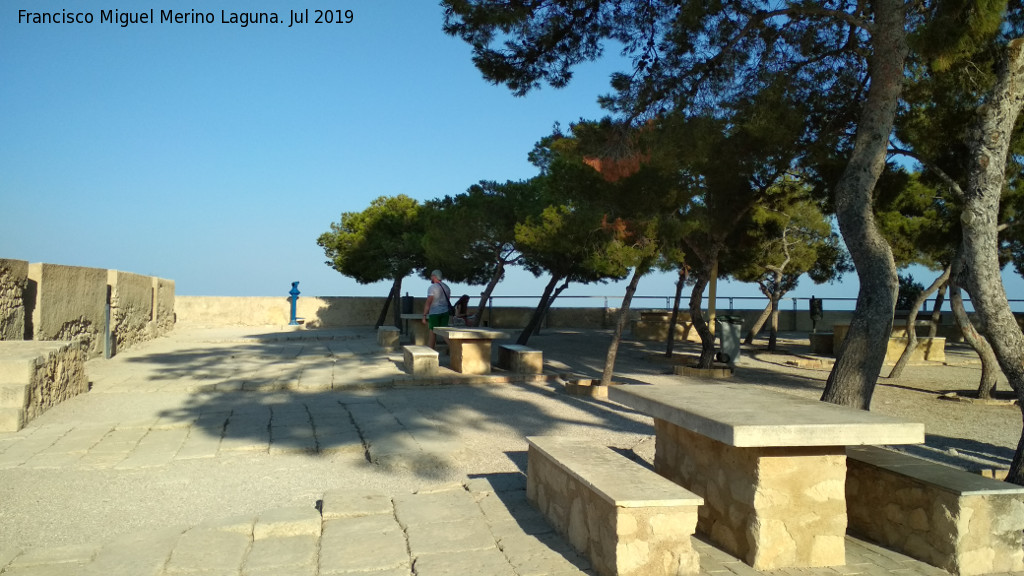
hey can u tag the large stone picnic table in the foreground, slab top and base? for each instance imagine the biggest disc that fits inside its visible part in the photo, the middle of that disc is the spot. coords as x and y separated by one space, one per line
771 467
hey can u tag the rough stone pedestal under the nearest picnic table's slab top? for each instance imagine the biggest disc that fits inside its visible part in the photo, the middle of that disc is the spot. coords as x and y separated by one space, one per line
773 508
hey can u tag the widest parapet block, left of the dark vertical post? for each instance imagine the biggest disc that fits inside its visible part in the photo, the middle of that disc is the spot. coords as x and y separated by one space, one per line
71 302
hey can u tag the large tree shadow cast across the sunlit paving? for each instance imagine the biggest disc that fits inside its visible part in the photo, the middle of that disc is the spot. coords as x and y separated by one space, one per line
322 400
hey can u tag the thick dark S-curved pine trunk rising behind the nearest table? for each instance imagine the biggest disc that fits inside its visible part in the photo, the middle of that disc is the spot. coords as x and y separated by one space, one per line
860 361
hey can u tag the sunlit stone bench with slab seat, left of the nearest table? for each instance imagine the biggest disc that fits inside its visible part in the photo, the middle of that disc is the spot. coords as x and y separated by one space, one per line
625 518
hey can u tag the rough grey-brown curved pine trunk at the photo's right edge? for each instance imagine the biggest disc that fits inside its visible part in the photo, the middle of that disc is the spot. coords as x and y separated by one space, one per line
990 143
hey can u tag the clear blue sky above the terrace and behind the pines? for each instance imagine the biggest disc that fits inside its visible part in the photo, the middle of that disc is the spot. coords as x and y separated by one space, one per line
216 155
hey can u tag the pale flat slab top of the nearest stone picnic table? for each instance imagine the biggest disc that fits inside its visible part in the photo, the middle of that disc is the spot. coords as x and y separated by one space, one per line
745 417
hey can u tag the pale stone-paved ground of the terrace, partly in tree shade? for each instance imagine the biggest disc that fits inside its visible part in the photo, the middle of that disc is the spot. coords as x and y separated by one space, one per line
266 452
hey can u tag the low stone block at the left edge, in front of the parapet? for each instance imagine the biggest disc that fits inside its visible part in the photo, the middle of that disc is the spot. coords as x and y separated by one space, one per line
36 377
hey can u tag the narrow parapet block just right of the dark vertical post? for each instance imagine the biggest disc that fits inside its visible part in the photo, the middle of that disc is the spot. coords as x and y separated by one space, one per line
133 300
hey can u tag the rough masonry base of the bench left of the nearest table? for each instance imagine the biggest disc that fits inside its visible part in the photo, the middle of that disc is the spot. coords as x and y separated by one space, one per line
619 542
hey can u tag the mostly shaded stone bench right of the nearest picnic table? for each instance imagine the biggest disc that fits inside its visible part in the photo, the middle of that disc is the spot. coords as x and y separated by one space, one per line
952 519
